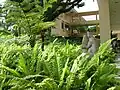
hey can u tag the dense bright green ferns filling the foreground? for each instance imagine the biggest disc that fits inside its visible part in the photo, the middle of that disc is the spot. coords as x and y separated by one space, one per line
58 67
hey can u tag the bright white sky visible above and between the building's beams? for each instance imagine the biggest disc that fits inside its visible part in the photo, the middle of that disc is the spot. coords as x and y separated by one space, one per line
89 6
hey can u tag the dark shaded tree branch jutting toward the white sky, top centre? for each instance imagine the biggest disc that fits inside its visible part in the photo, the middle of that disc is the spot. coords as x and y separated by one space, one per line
61 6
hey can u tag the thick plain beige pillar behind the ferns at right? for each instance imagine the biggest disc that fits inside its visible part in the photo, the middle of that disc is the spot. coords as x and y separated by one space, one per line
104 21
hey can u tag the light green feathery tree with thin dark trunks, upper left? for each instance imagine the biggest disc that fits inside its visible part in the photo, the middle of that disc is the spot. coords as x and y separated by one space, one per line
26 17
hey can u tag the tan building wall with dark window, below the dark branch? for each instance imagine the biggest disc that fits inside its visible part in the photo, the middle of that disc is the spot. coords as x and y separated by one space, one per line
61 22
